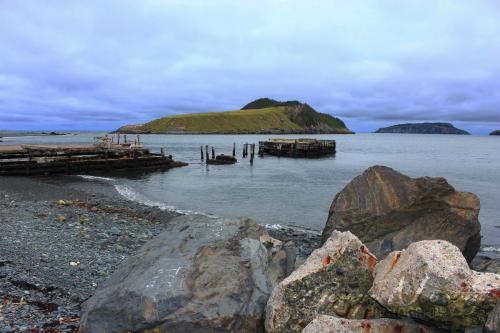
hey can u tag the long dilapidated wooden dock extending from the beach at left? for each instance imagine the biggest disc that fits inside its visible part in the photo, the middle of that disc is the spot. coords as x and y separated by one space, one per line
38 159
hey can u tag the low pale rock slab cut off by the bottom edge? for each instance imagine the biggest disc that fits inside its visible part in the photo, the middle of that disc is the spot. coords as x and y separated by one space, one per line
329 324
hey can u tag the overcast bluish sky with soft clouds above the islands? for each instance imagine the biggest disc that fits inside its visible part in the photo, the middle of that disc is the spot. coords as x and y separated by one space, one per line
100 64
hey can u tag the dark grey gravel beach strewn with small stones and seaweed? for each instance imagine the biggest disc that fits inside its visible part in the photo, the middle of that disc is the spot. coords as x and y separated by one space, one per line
61 237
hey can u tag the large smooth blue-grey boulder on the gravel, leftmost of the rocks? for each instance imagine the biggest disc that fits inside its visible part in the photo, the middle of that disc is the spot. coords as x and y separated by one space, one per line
201 275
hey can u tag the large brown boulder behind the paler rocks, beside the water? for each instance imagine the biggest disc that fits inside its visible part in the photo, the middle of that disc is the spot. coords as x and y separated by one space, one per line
388 211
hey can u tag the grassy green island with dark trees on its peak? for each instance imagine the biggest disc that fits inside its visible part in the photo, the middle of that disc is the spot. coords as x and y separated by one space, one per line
262 116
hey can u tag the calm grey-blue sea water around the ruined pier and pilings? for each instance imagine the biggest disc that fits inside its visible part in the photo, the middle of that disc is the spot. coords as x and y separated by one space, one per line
298 192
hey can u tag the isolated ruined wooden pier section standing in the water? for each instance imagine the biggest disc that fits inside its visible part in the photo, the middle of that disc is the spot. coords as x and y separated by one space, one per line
305 148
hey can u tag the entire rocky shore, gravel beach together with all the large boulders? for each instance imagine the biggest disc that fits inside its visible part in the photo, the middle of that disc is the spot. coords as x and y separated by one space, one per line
74 255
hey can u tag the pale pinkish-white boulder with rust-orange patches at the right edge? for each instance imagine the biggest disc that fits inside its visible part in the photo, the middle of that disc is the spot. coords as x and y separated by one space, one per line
432 281
